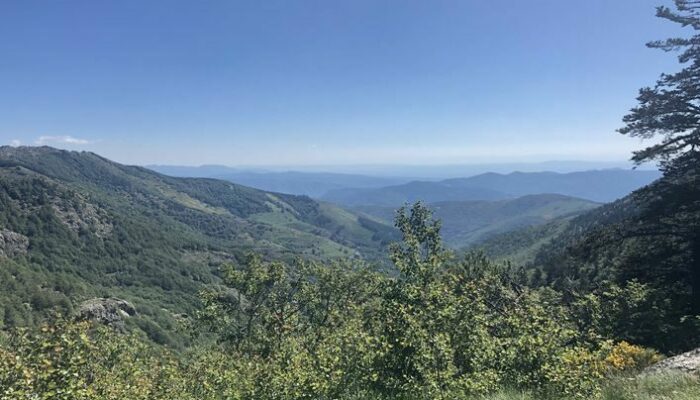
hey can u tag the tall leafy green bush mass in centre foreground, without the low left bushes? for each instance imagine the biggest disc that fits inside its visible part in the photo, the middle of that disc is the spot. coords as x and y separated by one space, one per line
437 329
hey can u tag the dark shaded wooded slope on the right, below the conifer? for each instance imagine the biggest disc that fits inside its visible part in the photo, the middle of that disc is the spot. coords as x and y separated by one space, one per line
647 243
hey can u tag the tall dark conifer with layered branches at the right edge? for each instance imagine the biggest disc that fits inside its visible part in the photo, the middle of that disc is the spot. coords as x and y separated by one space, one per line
670 111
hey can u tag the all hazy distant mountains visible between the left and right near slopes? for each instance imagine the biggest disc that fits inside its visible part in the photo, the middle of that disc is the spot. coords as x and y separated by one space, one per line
472 209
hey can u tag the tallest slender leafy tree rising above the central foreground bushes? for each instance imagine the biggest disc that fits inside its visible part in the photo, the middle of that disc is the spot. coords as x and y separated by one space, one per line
414 353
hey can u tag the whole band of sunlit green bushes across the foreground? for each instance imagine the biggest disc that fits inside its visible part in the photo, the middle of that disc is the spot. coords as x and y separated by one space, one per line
438 328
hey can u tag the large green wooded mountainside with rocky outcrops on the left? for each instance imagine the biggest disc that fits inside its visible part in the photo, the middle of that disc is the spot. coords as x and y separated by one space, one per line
75 226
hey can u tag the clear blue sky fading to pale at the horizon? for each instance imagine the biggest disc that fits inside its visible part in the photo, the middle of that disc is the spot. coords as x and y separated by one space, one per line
327 82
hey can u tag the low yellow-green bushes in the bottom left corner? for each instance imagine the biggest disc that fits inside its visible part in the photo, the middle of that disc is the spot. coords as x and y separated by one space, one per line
77 361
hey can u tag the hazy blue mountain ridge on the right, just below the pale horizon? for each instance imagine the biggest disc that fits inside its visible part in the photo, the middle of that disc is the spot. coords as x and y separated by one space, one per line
598 186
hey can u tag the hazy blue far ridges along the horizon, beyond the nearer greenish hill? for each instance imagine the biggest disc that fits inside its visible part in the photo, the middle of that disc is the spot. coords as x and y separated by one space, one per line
601 185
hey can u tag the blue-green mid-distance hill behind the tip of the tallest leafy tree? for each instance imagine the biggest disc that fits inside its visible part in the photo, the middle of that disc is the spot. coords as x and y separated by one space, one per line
467 222
